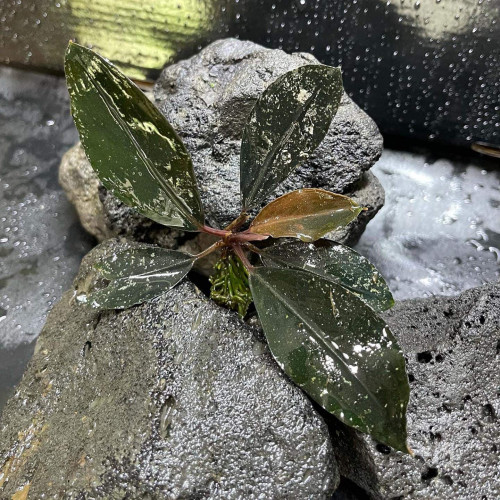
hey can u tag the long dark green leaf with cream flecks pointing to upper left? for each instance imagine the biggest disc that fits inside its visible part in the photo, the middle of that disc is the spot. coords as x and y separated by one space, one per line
133 149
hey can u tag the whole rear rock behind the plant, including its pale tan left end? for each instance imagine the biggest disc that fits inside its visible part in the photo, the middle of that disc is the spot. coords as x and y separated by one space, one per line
207 99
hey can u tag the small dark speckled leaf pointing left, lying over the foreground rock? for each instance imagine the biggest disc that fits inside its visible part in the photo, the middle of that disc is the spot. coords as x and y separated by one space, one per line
139 274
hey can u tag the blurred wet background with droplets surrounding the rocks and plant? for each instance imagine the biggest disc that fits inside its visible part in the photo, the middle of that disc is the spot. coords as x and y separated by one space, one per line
426 71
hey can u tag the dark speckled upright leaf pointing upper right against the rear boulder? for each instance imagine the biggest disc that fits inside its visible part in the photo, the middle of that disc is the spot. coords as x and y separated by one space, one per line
288 122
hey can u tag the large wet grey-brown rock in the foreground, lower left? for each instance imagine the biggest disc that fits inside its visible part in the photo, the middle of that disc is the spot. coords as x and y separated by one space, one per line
176 398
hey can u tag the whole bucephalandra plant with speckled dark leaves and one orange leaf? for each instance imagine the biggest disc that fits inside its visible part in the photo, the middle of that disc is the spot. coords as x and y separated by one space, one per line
317 300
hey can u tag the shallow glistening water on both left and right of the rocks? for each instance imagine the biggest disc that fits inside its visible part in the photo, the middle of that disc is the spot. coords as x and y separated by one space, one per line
438 233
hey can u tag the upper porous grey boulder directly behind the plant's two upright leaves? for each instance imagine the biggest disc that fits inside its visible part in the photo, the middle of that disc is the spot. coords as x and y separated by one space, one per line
207 99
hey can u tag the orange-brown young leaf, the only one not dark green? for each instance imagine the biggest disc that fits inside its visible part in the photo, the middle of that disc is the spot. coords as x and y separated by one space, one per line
307 214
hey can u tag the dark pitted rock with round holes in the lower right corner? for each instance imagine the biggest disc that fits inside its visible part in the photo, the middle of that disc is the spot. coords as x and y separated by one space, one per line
453 350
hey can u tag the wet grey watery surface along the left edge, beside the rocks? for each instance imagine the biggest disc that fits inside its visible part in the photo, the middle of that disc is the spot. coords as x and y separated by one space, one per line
41 239
